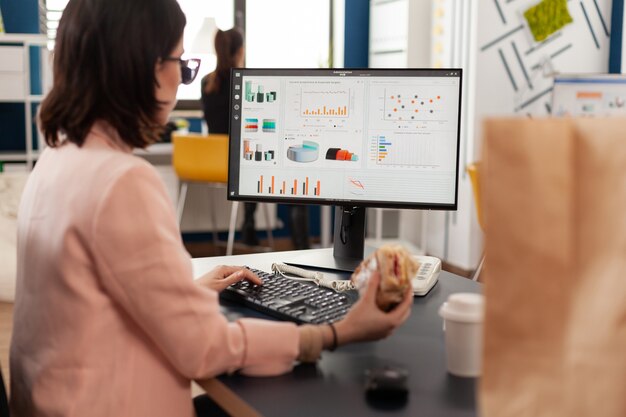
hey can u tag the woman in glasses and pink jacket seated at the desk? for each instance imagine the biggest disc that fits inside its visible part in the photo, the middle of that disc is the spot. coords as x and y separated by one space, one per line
108 320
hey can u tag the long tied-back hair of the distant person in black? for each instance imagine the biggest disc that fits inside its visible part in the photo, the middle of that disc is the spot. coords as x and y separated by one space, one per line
227 44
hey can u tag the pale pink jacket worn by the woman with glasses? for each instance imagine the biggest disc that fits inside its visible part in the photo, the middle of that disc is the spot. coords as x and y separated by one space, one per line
107 320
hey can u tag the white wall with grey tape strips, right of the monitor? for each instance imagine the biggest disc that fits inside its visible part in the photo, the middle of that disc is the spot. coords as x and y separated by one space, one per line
507 73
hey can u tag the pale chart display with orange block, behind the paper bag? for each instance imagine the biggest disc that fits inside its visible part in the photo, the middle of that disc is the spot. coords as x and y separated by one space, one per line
589 95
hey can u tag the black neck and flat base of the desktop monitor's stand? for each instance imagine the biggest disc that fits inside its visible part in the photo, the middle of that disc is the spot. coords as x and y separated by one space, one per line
349 243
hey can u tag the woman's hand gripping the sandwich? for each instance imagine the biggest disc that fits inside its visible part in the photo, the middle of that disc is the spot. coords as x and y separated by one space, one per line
366 321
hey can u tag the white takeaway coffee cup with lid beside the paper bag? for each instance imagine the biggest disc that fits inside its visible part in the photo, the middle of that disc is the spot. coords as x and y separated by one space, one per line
463 325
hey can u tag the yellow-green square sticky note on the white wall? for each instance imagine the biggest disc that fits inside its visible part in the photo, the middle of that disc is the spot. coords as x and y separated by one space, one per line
547 17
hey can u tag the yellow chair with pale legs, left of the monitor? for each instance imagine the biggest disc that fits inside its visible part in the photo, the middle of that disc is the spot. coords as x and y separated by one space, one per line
204 159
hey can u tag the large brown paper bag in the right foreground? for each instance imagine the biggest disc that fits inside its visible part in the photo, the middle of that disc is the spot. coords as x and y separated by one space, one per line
555 275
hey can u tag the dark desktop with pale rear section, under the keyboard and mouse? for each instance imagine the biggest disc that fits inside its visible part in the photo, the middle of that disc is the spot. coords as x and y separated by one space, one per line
334 386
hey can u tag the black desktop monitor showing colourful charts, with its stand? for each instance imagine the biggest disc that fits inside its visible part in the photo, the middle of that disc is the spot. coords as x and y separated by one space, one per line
349 138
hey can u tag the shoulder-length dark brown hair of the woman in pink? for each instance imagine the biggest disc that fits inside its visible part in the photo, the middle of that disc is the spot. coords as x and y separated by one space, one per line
104 68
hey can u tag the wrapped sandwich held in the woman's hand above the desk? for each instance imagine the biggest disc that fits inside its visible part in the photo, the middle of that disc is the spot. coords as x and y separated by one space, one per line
396 267
